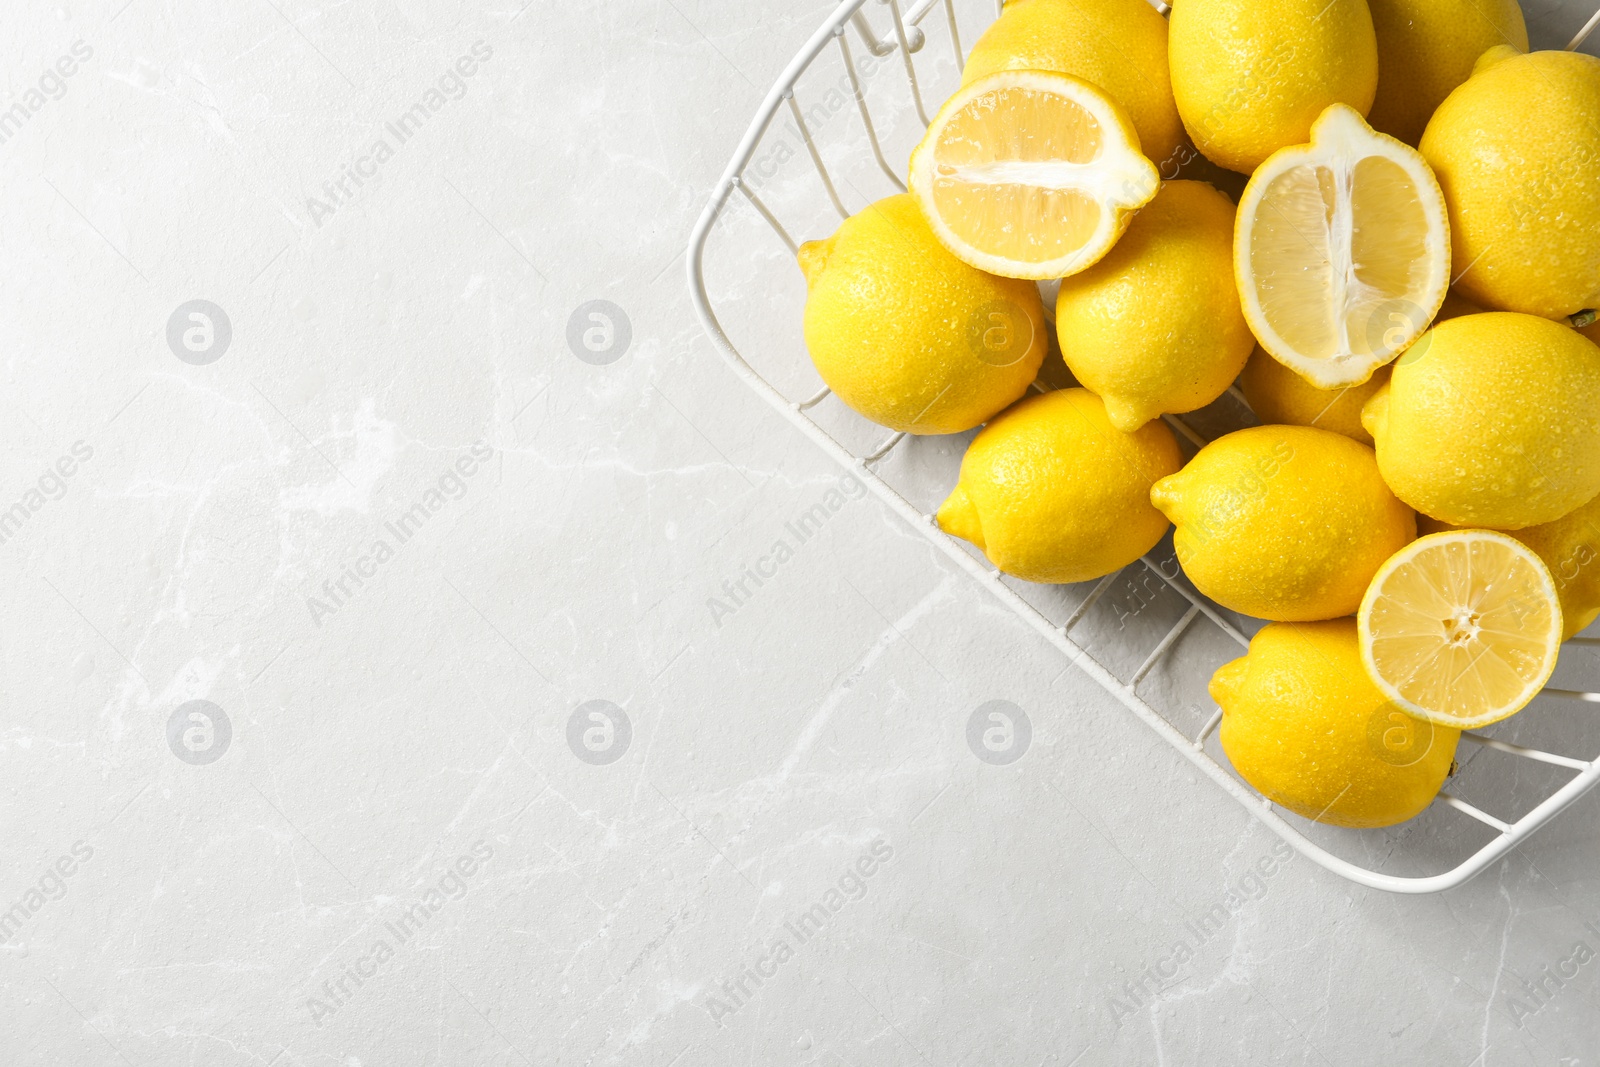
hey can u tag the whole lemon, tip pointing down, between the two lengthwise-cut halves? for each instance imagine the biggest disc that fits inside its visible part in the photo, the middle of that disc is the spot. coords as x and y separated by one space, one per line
1156 326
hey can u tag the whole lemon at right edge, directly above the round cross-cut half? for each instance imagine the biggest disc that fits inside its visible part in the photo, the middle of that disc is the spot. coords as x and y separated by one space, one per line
1492 422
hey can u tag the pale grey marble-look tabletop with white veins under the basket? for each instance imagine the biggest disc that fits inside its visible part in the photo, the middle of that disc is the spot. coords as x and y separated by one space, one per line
386 681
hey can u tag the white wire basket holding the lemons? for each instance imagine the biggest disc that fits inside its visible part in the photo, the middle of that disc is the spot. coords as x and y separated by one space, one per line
865 82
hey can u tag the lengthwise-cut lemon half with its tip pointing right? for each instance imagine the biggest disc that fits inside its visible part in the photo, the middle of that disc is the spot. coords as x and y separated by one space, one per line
1031 174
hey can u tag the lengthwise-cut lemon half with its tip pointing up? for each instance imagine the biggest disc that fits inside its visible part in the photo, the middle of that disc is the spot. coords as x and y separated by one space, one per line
1342 250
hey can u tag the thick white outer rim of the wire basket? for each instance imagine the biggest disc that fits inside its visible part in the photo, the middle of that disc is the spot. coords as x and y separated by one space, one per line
695 270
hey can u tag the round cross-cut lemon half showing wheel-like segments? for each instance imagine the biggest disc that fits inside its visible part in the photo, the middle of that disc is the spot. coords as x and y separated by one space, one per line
1462 628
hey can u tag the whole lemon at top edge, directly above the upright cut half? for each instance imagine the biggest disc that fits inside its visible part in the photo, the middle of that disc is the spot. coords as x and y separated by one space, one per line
1252 78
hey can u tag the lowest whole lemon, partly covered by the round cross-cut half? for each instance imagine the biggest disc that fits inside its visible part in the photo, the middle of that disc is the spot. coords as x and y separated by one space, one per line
1303 724
